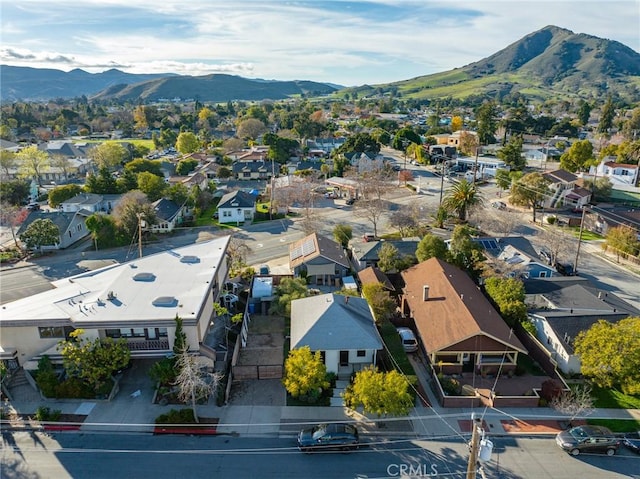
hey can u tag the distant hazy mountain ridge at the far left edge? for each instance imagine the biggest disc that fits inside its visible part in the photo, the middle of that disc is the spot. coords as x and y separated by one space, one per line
24 83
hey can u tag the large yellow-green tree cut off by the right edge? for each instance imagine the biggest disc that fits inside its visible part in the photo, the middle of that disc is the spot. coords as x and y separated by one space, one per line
610 354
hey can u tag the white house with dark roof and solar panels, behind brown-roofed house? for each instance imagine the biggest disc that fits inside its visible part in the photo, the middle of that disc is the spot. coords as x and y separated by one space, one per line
515 256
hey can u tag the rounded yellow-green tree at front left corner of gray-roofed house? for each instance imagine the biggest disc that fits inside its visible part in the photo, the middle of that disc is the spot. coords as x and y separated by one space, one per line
304 373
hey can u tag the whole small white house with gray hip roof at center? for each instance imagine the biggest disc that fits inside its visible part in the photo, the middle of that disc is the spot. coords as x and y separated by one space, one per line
342 328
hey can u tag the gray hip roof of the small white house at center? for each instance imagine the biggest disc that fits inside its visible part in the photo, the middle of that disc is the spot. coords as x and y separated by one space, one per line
331 322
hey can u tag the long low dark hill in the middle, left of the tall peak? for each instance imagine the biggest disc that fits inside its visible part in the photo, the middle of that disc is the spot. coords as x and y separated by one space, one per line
213 88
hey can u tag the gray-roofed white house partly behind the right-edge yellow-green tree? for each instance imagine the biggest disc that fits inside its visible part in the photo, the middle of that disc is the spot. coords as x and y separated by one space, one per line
561 308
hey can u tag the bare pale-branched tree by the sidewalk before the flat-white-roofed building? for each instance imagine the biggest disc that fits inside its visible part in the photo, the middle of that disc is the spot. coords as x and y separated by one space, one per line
195 381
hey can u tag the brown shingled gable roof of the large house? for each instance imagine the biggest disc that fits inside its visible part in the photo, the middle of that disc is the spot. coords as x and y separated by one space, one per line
455 312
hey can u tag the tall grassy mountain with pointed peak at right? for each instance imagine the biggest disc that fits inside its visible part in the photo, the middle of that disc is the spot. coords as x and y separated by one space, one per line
550 63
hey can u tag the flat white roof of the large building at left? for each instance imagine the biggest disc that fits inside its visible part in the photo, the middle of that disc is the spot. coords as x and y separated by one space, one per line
155 287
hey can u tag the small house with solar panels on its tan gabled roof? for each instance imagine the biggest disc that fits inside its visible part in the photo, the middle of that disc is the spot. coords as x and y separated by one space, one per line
319 259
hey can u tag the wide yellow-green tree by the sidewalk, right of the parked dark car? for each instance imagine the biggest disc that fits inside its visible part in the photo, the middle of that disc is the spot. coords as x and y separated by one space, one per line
379 393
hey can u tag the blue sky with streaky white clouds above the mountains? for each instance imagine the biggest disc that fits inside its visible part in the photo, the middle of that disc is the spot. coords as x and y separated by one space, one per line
344 42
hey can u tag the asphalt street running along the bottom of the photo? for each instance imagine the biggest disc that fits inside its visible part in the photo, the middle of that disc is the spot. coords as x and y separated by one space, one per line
95 456
